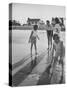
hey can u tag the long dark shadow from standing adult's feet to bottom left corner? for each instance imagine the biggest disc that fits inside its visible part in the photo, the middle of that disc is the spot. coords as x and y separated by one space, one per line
22 74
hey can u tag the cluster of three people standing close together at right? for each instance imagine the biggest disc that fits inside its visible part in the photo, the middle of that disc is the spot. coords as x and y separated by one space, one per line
57 63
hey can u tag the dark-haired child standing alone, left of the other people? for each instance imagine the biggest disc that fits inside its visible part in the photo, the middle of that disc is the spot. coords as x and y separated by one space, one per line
33 38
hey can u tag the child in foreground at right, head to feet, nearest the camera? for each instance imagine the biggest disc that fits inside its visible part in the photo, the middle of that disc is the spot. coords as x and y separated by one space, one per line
57 60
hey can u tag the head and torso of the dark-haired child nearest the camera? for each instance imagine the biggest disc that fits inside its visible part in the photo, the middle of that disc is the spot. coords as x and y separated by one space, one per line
57 46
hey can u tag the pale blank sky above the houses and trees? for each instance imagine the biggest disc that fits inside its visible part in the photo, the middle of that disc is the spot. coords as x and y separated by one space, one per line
21 12
